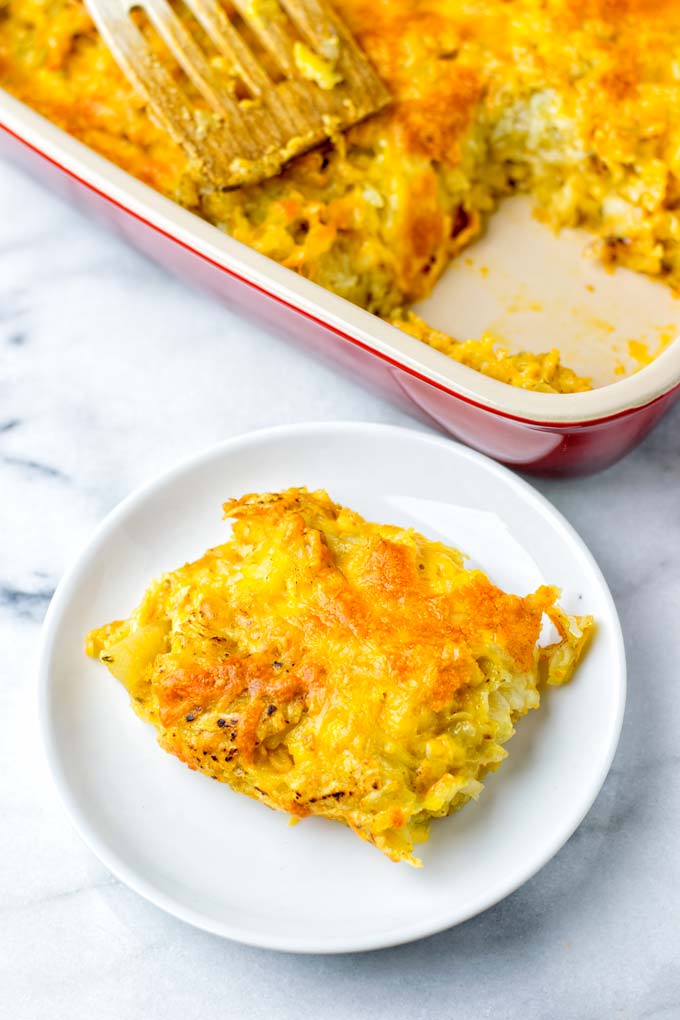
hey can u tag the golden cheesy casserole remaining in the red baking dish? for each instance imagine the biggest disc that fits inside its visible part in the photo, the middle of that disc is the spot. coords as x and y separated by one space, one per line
576 103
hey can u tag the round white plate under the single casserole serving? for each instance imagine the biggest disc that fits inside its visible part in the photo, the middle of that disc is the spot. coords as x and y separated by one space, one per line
222 861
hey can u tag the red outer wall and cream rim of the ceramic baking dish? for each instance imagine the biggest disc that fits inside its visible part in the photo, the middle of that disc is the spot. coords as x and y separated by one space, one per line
547 434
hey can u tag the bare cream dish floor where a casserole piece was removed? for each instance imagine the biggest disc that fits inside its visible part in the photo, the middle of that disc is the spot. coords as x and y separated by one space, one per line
536 290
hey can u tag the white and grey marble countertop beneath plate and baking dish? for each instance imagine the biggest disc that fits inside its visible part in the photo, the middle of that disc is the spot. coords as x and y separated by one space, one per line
111 372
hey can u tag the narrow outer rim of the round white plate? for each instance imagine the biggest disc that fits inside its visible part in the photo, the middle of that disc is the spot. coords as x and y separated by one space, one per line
144 887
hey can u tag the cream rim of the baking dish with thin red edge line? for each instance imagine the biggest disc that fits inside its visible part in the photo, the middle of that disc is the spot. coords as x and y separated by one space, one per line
346 320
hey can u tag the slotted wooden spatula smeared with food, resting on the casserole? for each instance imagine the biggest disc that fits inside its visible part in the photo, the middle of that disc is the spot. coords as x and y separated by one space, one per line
249 125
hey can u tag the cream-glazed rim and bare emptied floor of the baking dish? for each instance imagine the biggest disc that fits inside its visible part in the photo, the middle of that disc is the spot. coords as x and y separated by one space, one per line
529 287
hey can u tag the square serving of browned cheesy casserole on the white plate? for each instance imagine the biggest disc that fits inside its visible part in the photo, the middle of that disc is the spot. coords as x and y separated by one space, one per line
327 666
